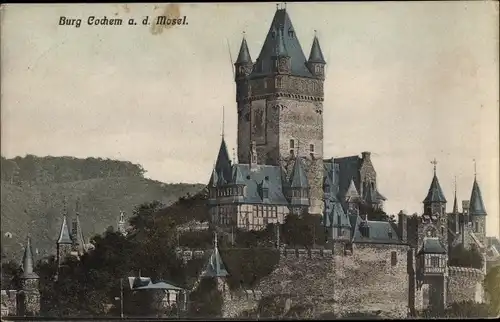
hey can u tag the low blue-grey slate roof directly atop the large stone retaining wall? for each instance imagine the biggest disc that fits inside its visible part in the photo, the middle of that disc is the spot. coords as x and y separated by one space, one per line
380 232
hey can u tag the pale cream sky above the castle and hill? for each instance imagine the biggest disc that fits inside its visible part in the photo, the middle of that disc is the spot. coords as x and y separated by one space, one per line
409 82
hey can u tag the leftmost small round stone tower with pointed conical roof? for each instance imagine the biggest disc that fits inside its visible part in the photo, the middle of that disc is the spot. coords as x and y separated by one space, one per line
29 294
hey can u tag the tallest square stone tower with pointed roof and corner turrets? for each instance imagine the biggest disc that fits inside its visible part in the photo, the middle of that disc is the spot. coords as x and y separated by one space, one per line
280 104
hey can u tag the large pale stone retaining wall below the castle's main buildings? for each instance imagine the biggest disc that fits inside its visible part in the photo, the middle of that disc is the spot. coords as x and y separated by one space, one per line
329 281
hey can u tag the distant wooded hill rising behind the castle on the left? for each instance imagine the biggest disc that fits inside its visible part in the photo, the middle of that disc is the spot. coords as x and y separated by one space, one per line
33 204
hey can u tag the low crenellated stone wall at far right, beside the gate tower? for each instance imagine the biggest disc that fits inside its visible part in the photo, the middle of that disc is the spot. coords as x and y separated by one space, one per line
465 284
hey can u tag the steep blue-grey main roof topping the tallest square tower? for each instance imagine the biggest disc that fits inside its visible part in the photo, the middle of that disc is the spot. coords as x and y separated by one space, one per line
281 25
